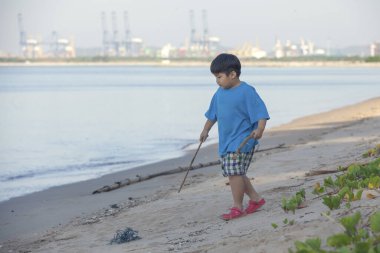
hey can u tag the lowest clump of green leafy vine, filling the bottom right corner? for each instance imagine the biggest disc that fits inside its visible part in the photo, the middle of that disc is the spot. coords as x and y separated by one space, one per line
358 236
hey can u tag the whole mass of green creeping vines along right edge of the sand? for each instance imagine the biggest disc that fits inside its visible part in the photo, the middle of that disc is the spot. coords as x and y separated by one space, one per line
358 235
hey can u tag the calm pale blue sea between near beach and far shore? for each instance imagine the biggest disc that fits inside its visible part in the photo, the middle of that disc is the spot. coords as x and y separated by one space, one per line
66 124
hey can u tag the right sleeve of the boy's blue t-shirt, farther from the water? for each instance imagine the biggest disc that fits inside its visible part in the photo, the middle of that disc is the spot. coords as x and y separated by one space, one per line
256 107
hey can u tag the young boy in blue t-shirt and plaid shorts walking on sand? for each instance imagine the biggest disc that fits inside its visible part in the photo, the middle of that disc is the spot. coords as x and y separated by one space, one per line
240 113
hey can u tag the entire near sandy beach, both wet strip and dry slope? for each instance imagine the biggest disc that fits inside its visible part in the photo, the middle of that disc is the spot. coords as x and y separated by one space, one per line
70 218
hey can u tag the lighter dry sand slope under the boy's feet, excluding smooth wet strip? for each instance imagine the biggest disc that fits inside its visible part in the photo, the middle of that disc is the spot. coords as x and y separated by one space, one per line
188 222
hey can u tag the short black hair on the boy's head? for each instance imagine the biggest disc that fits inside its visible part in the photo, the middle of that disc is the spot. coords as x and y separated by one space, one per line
225 63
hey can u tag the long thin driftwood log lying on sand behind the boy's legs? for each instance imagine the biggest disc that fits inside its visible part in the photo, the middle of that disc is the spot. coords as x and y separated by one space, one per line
139 178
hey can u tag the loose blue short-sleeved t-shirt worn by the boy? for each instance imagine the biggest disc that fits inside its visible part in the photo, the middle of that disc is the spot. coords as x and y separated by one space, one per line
237 111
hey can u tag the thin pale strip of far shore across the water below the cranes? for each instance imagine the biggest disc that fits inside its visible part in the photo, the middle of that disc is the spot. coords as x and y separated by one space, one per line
168 63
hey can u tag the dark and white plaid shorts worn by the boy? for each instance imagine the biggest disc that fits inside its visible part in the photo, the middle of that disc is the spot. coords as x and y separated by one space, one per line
238 166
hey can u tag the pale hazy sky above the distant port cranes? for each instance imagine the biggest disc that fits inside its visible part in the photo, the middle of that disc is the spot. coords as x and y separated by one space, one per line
339 23
